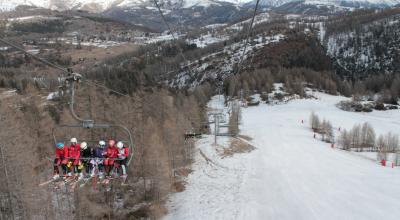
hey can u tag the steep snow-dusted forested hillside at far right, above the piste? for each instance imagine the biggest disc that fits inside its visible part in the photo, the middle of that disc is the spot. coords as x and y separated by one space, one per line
373 46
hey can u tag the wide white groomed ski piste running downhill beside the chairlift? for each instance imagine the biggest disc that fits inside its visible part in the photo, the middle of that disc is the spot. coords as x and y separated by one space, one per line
289 174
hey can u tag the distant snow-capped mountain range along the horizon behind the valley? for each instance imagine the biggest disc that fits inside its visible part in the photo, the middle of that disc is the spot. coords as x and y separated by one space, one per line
194 13
